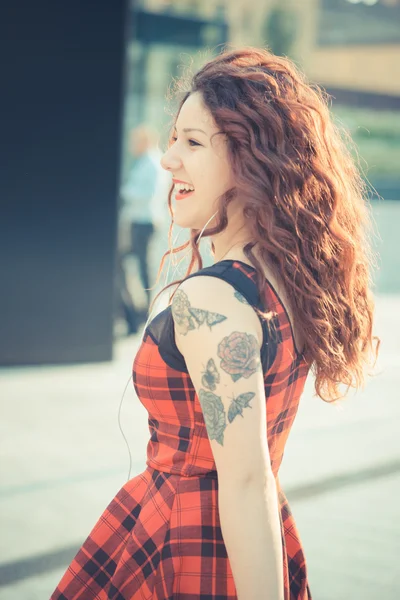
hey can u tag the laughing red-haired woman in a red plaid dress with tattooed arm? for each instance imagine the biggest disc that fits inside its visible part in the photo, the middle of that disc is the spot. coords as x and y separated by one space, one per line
259 168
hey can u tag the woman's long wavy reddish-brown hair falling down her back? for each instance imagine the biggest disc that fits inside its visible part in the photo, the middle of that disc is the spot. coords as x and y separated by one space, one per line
304 200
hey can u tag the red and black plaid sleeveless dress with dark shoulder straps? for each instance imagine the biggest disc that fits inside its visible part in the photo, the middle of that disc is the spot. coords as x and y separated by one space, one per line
160 537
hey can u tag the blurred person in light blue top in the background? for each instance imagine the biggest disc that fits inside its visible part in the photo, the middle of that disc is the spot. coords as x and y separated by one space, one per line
139 205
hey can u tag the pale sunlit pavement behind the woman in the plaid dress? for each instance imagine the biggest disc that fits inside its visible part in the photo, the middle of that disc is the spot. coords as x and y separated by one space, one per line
62 458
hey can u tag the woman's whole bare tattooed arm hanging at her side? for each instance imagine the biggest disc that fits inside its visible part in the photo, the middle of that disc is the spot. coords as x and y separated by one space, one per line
220 338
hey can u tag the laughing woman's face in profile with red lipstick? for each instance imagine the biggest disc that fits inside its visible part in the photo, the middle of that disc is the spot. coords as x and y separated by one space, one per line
199 161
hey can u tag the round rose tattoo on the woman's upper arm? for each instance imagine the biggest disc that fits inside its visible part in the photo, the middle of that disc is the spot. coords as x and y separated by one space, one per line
239 354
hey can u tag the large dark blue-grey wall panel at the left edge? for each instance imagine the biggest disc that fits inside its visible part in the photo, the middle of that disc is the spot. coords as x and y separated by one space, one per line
62 97
